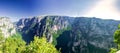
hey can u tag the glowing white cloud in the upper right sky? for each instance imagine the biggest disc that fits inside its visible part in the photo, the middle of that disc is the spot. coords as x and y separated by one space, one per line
104 9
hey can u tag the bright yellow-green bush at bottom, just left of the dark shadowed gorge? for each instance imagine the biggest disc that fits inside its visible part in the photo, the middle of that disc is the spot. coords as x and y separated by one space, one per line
40 45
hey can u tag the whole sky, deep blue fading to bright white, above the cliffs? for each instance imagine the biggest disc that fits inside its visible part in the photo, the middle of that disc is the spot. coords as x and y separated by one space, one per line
16 9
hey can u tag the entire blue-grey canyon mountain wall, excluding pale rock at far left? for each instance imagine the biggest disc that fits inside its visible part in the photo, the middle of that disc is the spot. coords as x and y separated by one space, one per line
71 34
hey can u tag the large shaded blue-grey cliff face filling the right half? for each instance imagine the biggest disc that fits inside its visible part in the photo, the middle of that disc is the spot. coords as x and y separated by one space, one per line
88 35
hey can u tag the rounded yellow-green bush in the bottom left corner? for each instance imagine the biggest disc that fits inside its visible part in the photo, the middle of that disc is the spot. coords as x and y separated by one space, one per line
13 45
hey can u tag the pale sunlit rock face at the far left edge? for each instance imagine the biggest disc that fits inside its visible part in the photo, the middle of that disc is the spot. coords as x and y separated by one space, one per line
6 27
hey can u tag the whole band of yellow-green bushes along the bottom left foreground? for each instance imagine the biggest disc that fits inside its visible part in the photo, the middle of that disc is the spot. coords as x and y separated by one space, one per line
15 44
